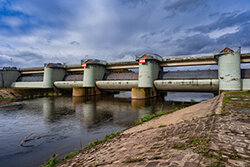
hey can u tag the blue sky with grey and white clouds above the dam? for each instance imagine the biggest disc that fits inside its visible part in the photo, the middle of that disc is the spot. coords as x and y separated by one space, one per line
33 32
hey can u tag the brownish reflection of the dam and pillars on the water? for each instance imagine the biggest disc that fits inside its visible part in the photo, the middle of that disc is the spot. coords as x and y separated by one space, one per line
95 109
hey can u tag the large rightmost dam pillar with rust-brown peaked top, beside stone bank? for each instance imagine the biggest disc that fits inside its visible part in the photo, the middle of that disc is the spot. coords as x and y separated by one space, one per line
229 71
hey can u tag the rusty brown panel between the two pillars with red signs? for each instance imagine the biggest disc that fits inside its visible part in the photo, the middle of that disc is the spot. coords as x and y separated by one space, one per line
122 76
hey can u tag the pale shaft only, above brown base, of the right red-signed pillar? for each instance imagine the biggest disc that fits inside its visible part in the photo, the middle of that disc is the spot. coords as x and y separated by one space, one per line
148 72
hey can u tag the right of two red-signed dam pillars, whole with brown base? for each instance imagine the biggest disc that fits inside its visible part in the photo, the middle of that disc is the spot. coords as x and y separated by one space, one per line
149 68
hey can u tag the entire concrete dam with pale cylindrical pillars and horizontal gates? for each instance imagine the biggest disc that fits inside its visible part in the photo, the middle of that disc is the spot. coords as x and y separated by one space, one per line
93 76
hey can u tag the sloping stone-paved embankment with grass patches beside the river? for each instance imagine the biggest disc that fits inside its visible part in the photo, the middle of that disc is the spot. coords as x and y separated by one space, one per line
211 133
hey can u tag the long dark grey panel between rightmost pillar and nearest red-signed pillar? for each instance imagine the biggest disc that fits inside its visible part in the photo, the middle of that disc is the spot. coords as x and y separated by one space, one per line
200 74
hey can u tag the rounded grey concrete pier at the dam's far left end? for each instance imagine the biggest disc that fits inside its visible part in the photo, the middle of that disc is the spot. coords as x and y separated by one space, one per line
8 77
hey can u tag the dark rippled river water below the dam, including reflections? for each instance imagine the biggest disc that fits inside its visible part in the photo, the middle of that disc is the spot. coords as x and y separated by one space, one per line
62 125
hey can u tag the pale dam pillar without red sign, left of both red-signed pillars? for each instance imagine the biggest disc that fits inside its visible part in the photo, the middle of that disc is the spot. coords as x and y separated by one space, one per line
53 72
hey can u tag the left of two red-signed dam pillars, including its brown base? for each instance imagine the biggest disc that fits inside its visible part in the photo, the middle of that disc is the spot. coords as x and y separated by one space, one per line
94 70
